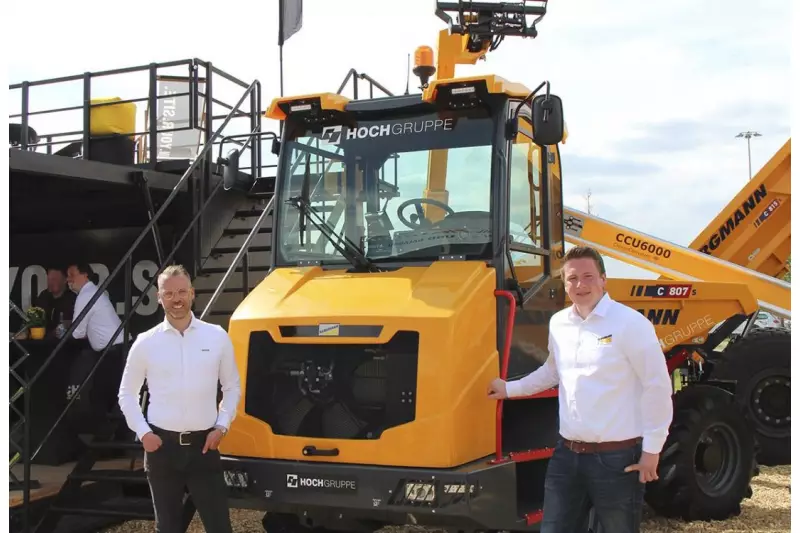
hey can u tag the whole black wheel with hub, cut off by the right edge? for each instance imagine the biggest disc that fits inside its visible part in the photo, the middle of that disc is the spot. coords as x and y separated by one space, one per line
760 363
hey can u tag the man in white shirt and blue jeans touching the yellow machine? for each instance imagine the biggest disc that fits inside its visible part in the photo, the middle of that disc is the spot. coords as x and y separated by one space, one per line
615 403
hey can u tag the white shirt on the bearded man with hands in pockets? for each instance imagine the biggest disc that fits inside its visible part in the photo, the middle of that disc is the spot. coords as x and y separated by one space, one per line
182 372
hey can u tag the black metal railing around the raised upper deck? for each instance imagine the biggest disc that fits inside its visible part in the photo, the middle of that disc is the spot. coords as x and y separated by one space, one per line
178 97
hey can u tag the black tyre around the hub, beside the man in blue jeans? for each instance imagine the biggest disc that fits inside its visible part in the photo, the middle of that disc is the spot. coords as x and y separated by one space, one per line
675 494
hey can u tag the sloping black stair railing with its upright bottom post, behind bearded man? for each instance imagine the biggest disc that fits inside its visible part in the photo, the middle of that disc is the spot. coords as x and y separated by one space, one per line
125 263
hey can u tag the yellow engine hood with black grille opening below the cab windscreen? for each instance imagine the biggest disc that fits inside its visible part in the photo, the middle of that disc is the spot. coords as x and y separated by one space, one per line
450 304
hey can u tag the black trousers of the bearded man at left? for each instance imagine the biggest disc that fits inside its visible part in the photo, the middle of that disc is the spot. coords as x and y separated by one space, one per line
173 468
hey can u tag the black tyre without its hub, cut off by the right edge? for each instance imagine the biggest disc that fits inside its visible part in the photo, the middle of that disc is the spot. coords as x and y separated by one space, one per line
744 359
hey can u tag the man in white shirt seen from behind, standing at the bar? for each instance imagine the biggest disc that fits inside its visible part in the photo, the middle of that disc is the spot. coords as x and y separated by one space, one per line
98 326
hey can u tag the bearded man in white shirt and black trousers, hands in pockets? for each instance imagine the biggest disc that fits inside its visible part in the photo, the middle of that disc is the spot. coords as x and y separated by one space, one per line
182 359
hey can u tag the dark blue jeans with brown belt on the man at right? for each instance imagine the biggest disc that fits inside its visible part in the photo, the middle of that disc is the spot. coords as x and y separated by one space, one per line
577 481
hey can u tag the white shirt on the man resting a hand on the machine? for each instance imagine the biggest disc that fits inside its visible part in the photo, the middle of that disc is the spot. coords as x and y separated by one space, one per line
611 373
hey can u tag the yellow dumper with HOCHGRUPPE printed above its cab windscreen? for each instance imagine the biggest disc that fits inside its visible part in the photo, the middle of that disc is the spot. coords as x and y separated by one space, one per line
366 351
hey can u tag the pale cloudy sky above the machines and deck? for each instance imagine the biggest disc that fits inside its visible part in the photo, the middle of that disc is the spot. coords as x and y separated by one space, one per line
654 92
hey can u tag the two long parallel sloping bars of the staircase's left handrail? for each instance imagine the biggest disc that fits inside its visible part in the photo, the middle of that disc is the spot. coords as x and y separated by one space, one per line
208 146
